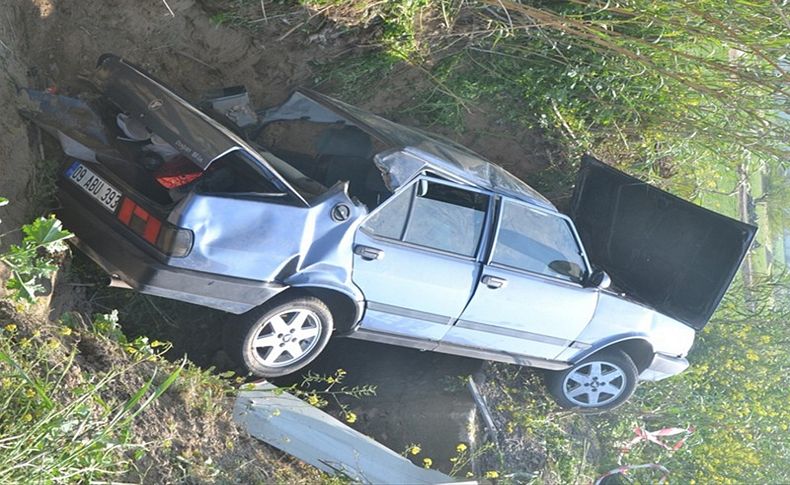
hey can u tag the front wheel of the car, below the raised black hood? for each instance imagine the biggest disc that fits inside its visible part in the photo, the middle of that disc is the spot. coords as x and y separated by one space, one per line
599 383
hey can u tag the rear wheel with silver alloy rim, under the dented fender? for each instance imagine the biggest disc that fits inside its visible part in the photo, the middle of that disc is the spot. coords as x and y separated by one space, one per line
280 338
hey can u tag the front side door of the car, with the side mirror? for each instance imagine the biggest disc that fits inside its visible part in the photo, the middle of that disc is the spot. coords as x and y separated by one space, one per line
530 299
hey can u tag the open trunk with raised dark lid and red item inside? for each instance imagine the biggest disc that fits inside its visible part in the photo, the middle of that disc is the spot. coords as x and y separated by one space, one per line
153 140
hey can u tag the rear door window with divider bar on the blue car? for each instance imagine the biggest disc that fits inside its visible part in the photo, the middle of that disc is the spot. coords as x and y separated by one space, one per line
433 215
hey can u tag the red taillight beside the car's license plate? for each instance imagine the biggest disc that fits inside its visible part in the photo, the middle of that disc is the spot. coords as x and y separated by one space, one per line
169 239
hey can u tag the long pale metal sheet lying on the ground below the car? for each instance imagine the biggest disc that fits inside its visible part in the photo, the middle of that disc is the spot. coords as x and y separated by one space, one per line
304 431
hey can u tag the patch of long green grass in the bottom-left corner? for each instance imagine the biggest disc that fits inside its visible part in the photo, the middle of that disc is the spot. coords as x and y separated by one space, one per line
59 425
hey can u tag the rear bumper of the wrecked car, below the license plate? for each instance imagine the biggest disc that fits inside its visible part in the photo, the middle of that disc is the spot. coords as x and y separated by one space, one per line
113 247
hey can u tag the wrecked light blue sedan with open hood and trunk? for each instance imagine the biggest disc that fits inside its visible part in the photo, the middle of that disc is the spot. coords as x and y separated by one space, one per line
315 218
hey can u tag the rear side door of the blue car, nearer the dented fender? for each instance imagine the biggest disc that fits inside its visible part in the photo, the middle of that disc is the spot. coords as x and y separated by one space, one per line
416 259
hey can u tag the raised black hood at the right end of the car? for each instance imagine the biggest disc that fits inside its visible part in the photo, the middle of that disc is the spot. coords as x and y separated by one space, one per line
663 251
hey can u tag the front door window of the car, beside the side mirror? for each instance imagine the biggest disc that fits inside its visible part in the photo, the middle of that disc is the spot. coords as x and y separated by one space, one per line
538 242
